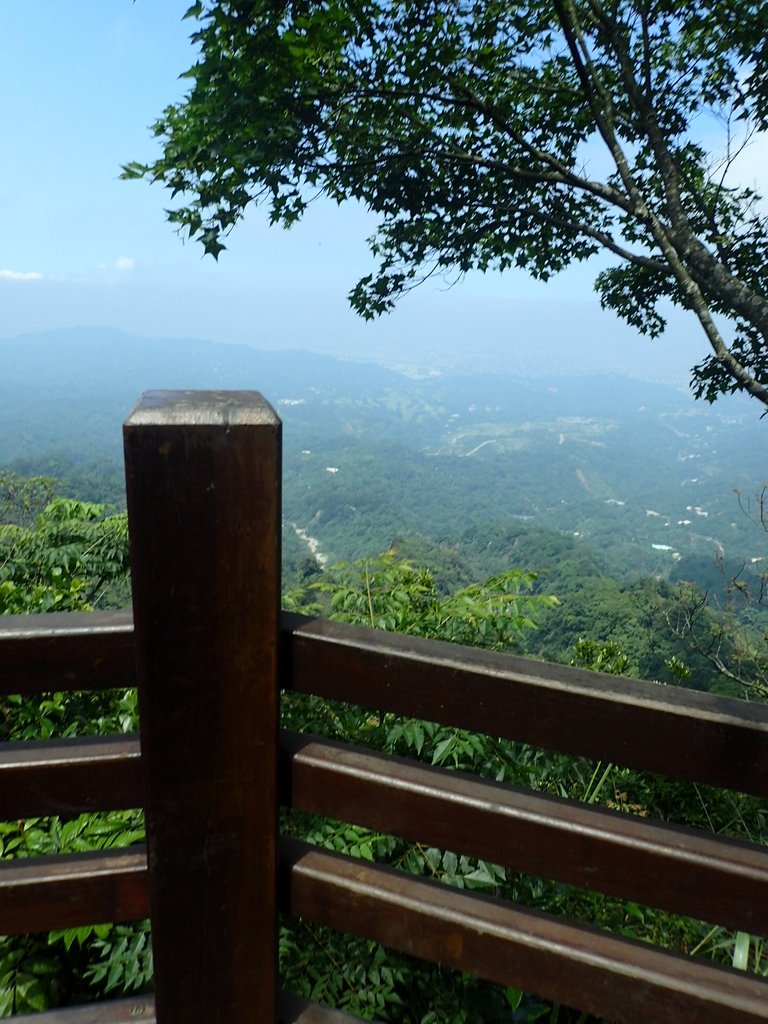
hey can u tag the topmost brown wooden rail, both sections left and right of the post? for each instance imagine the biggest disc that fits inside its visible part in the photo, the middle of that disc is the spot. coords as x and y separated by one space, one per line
675 732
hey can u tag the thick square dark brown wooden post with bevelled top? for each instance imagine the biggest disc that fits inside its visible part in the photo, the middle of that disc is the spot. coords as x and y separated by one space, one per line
203 473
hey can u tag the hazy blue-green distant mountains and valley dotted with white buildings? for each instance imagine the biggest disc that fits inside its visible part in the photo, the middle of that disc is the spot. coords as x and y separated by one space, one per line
641 471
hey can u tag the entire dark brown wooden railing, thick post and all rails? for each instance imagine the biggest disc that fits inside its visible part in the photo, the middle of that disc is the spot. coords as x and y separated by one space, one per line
210 654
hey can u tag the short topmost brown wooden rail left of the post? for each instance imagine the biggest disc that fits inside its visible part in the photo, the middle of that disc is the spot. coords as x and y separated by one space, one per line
66 652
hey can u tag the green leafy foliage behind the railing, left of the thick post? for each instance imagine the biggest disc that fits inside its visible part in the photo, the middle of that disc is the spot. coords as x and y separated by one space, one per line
62 554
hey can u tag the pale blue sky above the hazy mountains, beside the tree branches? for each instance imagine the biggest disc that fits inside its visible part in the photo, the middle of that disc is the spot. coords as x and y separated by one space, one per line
82 83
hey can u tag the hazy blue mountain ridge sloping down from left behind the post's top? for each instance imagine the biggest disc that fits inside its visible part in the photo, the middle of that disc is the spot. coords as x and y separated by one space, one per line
72 390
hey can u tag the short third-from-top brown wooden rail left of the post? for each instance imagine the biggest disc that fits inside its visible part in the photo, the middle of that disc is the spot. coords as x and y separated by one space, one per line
44 893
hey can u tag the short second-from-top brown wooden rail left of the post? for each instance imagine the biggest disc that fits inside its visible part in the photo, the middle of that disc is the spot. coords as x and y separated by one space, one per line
70 777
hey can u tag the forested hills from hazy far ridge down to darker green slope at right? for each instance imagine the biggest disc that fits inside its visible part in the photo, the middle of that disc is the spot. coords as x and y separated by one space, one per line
611 489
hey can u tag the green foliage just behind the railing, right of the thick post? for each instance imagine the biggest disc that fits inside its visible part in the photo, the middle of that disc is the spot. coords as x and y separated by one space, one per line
395 593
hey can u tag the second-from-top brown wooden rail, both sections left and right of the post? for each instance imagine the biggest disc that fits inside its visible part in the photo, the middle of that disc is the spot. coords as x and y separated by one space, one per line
675 869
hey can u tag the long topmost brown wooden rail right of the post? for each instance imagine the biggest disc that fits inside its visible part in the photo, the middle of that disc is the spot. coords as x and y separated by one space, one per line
719 741
